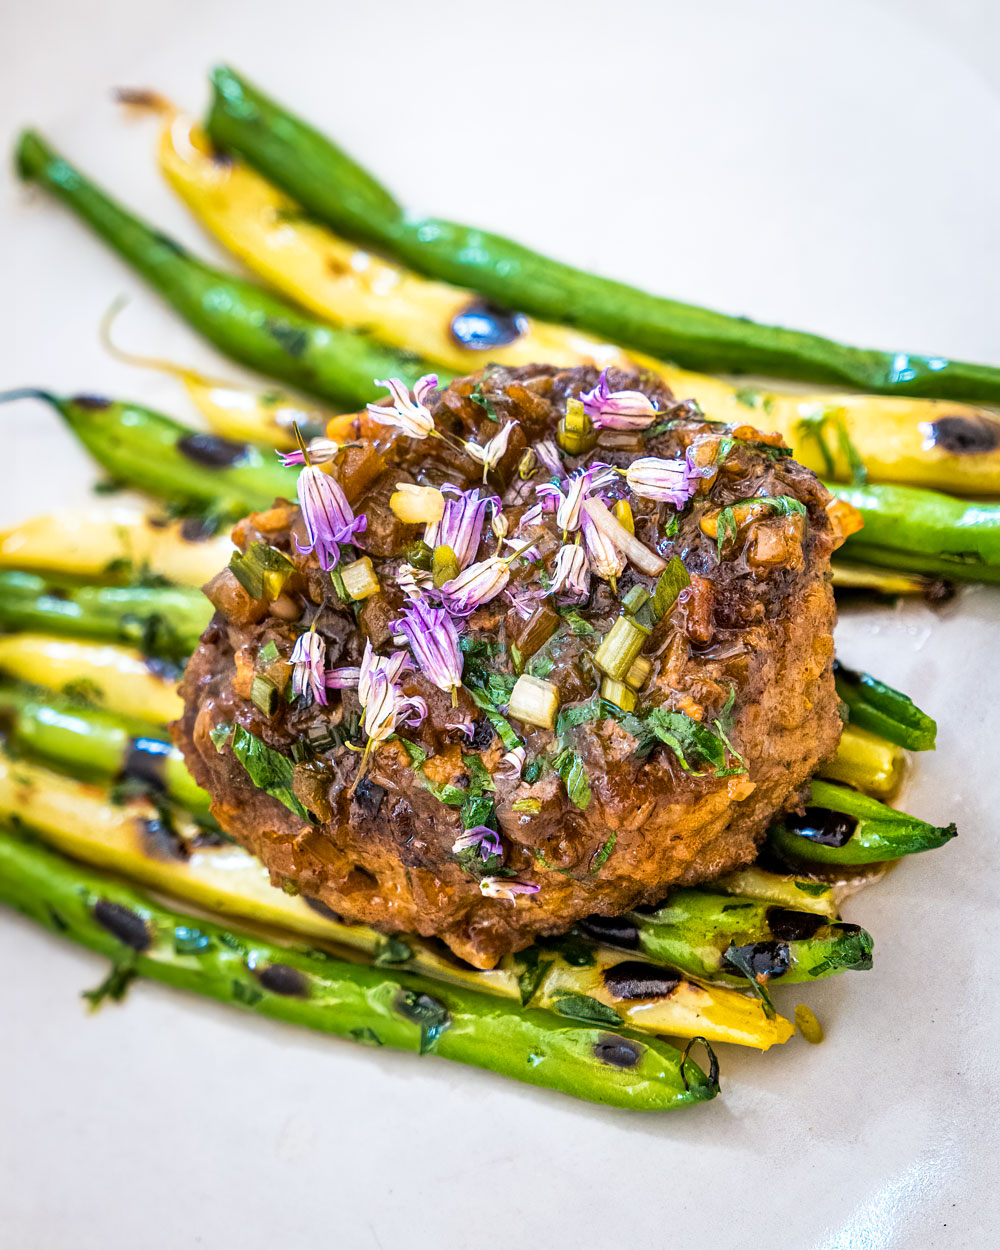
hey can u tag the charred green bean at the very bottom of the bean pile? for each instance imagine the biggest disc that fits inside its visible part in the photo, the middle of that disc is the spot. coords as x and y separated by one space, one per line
376 1007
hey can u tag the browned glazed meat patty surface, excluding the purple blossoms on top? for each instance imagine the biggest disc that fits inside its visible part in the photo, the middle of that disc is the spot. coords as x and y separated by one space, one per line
746 653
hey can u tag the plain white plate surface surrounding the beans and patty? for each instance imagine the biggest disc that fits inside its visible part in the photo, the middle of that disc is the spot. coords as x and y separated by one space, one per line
833 167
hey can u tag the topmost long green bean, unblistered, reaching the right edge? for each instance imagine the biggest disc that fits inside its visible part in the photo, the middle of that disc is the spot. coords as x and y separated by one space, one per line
337 191
